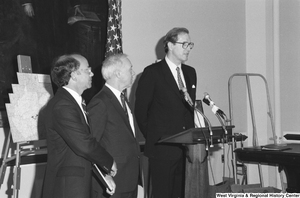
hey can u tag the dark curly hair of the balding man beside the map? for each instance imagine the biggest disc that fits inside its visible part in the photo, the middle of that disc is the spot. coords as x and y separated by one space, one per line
62 67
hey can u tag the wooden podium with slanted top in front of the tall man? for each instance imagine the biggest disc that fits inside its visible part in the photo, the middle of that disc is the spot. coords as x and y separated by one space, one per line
196 139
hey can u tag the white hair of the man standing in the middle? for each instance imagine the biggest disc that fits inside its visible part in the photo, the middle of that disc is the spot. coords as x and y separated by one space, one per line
112 64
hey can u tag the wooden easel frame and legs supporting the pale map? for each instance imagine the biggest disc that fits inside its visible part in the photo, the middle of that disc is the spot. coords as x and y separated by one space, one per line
24 146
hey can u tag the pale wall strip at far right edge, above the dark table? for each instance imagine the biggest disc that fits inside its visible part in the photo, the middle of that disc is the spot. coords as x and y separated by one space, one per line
289 64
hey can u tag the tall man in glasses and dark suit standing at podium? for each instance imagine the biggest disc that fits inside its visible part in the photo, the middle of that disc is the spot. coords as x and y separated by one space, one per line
161 110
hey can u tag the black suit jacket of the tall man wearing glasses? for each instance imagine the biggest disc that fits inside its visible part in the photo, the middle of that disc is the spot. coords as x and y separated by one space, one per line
161 110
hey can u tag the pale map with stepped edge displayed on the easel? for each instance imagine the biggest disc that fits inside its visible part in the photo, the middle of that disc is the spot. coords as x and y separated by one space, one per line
27 101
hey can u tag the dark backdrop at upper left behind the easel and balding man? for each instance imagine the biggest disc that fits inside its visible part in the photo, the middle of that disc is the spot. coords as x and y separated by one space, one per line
46 36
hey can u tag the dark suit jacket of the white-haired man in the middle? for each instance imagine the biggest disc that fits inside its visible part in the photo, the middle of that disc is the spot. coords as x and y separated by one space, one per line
110 125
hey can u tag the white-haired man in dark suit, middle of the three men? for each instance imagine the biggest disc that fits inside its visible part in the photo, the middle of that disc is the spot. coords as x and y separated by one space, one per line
114 126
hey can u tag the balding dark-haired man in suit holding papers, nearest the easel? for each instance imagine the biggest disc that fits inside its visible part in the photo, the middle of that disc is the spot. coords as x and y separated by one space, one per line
71 147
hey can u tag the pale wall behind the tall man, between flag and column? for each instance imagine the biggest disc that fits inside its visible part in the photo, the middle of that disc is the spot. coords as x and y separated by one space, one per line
217 28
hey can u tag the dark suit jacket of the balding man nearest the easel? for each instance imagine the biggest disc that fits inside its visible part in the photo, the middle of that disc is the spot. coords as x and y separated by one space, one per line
71 149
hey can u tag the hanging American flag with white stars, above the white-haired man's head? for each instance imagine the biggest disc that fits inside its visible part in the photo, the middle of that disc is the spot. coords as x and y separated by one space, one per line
114 35
